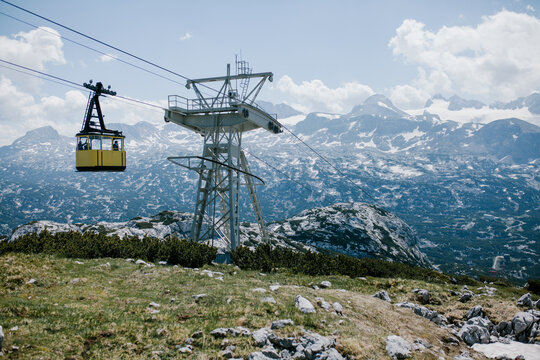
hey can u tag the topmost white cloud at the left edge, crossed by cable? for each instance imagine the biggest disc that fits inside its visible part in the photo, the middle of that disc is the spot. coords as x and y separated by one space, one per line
32 49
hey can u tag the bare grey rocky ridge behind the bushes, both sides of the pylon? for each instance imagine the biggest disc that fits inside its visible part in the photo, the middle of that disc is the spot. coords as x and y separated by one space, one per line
355 229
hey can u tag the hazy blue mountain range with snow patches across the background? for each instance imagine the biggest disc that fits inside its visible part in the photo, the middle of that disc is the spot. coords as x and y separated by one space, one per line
471 190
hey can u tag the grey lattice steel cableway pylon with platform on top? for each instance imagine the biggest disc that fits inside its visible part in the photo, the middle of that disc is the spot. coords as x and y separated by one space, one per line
222 120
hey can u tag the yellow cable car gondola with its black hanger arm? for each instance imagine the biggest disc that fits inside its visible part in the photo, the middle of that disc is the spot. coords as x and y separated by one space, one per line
99 148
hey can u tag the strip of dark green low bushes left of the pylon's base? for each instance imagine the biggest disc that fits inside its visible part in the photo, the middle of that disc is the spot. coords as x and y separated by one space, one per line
92 245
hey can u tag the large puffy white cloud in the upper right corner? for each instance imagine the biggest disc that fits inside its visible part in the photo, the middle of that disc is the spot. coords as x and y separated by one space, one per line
496 60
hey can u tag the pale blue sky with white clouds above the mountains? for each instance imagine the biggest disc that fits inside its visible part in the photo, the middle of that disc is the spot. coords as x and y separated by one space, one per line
326 55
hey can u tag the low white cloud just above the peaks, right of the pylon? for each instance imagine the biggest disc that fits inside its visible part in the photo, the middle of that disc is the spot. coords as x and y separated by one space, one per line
314 95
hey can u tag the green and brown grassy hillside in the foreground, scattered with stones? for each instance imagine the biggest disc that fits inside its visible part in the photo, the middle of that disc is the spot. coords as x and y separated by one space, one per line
100 309
